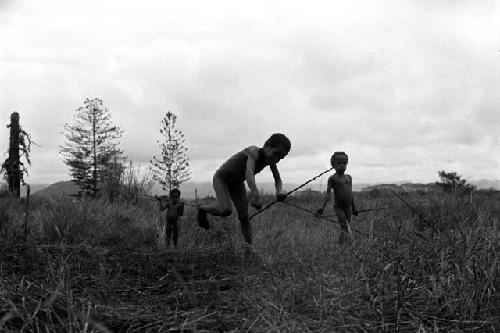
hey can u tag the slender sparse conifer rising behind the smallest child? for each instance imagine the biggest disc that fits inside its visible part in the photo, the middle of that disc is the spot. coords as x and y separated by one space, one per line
172 168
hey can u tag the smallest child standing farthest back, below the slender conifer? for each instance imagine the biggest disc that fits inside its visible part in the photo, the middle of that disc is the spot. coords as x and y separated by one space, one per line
175 208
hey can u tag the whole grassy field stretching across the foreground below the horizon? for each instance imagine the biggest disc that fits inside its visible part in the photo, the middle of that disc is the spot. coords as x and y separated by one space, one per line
93 266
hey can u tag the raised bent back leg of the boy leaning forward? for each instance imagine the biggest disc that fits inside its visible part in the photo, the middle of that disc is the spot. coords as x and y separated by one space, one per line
222 207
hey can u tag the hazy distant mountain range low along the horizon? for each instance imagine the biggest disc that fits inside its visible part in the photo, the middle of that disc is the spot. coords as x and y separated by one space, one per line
204 189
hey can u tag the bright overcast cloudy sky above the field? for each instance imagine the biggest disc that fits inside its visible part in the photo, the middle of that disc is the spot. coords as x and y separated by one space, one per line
407 88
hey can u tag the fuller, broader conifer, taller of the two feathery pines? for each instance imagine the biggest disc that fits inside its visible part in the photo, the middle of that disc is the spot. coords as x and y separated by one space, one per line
91 147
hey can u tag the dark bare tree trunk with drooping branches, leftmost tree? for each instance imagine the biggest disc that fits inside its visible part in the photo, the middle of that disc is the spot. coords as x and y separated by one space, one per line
19 145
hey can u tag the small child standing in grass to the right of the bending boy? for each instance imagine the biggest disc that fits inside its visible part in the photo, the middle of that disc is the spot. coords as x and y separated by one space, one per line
341 184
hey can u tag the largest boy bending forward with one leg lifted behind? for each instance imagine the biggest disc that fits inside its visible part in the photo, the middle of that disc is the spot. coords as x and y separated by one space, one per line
229 182
